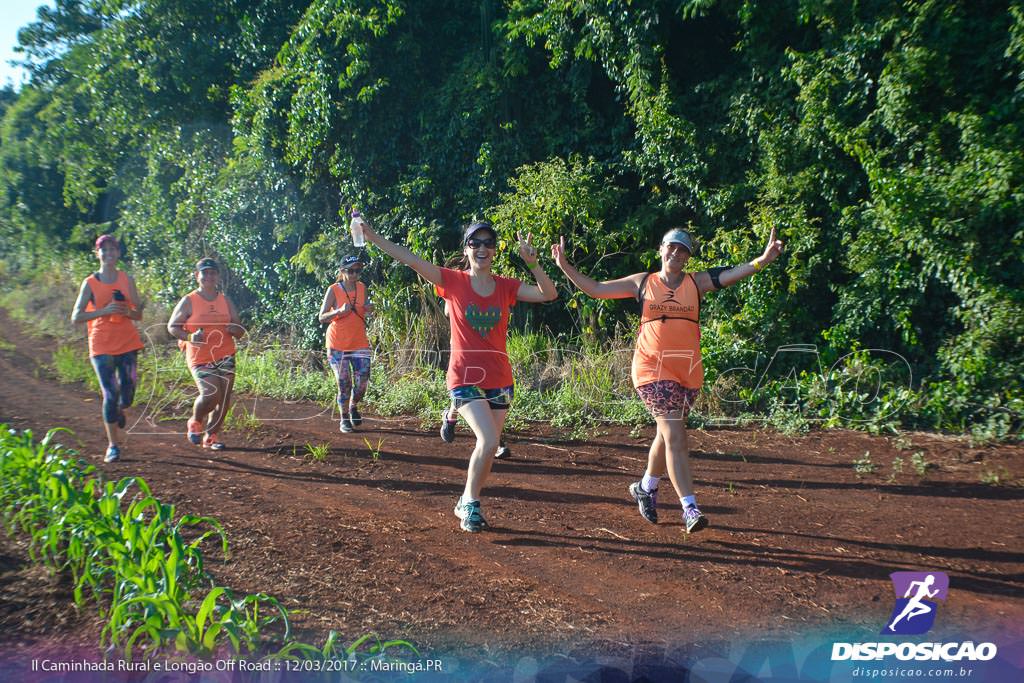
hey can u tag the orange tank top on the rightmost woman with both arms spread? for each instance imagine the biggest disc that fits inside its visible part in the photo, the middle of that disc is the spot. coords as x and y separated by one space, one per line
669 343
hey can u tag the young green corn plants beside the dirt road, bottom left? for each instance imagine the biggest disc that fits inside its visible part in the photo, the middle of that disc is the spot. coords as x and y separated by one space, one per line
134 556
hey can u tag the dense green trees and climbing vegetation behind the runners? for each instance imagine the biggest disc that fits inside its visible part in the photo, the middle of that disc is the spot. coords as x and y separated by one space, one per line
883 139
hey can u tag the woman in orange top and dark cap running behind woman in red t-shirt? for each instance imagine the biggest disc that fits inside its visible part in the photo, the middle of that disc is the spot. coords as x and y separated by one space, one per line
346 308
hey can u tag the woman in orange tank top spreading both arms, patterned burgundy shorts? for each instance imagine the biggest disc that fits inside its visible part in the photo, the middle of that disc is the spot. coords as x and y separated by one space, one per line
667 369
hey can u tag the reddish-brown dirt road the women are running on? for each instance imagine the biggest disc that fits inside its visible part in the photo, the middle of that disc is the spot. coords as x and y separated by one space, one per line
799 541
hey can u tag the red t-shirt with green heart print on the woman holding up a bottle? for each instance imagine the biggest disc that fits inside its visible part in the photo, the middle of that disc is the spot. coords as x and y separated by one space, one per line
480 329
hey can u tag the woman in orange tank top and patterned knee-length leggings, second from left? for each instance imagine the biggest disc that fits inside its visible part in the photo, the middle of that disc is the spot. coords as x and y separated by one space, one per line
207 324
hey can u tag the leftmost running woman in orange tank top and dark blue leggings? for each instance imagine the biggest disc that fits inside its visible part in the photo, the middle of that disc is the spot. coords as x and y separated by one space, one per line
108 304
